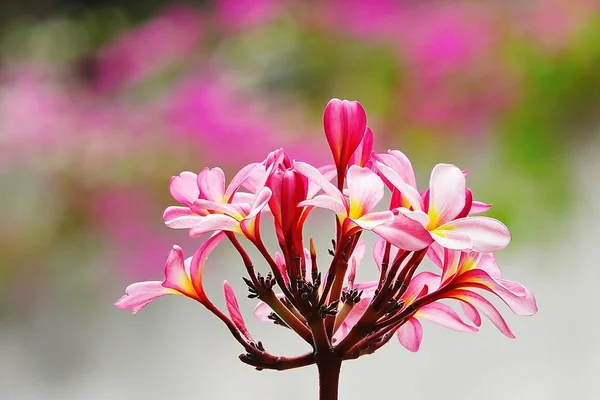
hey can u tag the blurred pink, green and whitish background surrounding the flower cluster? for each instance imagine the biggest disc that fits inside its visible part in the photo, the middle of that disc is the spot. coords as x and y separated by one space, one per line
101 102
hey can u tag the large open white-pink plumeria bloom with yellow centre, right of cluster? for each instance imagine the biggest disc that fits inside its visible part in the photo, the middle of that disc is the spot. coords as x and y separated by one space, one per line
443 209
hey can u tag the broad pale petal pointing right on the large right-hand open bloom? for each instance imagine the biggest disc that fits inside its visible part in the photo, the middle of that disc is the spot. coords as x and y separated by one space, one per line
488 234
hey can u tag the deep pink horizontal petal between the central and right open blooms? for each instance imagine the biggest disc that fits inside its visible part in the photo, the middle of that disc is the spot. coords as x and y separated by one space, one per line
404 233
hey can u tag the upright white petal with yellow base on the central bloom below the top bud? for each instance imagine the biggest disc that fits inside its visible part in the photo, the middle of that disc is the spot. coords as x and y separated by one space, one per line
365 190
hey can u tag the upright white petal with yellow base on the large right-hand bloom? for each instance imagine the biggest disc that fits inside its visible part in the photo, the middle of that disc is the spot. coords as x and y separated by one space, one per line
447 194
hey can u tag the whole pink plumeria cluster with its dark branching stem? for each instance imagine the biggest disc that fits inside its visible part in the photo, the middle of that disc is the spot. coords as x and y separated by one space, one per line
338 316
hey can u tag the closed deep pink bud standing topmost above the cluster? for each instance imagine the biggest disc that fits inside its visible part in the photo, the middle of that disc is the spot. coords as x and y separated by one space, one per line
344 123
